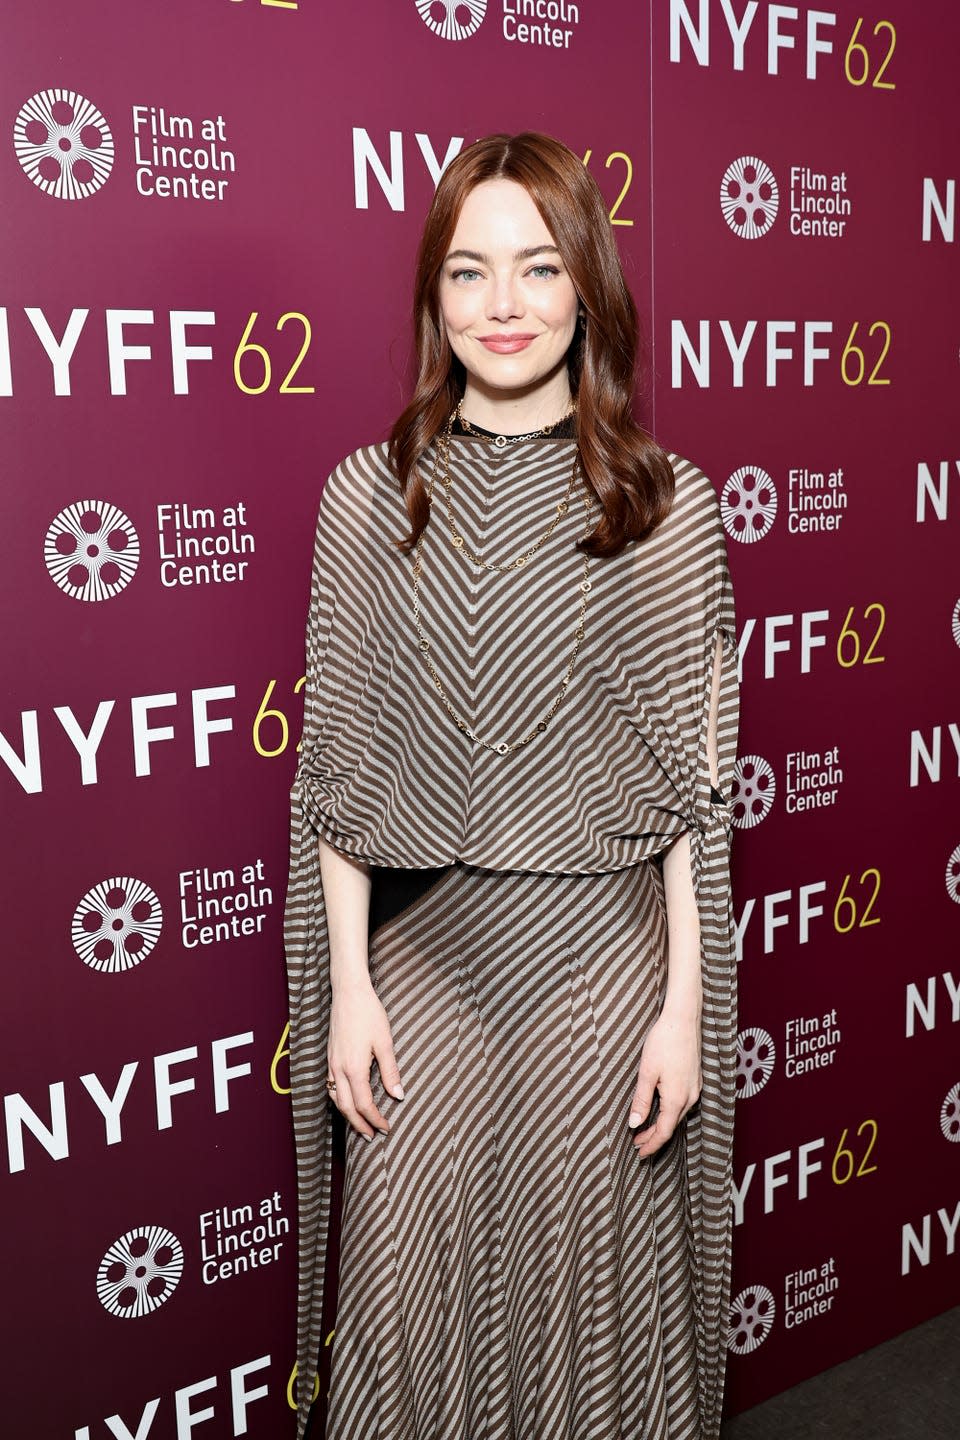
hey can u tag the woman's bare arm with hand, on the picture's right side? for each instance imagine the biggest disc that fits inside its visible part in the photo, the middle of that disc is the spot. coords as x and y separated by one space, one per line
671 1052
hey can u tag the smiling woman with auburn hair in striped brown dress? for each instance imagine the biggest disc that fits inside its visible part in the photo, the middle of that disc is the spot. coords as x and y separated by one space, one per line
509 924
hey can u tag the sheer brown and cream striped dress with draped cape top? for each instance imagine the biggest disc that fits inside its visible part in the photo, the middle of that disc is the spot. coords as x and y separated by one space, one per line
510 1269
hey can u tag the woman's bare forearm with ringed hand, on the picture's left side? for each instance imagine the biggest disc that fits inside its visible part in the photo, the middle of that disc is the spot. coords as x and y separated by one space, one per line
359 1026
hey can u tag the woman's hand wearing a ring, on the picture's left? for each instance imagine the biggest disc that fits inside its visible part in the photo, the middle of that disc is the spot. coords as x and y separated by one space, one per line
361 1035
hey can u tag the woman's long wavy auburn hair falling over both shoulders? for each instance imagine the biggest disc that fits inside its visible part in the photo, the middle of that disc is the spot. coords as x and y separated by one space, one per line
624 467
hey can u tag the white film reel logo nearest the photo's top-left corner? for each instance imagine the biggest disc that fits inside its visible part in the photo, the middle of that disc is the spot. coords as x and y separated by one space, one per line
64 145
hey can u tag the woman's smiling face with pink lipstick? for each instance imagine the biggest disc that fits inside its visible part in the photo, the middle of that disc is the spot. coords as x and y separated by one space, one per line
507 302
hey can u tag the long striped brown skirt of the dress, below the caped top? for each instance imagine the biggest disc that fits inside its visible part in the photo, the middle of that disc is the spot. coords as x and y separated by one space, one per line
510 1269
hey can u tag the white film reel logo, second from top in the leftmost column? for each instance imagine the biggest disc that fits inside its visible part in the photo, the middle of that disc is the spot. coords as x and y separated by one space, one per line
91 551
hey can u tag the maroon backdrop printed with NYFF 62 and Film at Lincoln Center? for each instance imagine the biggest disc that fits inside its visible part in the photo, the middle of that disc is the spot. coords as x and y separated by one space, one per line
209 221
